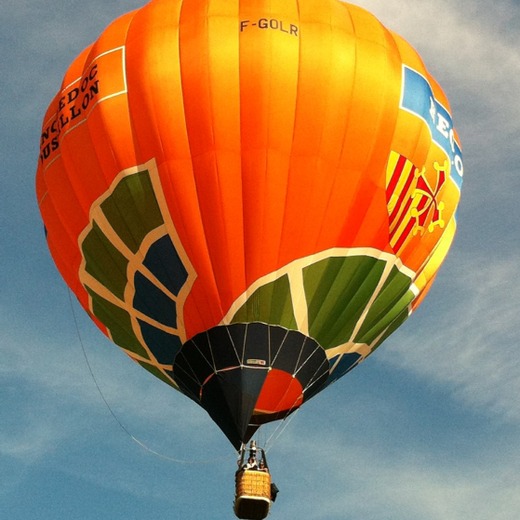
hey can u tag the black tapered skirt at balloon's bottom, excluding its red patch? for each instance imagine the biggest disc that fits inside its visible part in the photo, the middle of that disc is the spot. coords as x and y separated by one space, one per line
224 370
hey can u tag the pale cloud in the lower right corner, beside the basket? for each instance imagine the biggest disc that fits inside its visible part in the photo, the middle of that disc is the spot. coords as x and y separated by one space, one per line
340 477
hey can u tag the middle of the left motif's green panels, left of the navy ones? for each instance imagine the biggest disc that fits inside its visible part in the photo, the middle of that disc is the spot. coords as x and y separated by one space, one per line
104 262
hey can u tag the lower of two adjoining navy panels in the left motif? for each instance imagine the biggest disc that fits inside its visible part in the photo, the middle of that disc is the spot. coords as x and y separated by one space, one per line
150 300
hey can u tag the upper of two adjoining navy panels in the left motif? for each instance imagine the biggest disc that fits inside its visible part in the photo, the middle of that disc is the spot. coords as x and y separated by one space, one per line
164 262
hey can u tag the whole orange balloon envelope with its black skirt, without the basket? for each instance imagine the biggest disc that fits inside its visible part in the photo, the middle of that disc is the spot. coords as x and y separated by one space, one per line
249 197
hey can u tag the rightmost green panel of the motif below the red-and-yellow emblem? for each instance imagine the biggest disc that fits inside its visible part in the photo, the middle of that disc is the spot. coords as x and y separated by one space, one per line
393 299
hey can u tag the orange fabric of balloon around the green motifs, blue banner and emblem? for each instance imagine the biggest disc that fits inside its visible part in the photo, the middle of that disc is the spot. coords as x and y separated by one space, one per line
271 123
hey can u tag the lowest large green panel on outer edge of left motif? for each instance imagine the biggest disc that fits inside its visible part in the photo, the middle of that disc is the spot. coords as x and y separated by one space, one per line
118 322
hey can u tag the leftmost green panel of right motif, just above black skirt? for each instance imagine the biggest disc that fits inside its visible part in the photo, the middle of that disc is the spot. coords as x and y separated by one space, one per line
271 304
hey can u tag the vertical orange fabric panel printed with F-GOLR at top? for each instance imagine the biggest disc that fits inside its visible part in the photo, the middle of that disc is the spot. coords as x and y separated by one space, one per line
268 95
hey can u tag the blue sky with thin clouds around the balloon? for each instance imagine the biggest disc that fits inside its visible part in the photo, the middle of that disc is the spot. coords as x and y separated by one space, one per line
428 428
